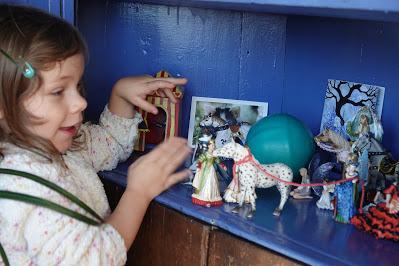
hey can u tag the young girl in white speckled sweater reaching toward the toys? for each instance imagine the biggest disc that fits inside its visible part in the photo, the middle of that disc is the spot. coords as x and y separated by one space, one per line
41 132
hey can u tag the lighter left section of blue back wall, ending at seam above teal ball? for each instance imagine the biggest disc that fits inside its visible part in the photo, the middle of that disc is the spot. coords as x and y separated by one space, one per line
206 46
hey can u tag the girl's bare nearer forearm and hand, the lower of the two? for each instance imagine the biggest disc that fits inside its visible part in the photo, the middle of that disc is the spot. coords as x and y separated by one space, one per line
147 177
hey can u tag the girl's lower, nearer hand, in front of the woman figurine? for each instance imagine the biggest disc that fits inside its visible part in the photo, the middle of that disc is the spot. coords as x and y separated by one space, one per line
153 173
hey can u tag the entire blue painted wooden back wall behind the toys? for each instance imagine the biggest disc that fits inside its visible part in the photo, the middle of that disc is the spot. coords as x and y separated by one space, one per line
284 60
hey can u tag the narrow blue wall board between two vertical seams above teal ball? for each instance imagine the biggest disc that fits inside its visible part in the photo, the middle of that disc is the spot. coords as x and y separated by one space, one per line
262 59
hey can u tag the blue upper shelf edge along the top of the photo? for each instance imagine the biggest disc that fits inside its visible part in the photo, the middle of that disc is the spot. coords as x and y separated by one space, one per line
385 10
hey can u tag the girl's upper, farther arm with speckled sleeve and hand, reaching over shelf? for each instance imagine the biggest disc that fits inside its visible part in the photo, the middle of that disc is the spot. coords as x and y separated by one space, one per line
113 139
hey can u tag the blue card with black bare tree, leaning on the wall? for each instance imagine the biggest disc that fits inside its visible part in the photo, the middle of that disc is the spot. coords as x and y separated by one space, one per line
343 101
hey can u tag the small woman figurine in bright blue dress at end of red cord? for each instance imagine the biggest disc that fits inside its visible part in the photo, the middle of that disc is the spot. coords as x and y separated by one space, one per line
345 192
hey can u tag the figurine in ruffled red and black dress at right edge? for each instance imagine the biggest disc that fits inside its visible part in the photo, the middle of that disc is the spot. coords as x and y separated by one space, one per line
382 220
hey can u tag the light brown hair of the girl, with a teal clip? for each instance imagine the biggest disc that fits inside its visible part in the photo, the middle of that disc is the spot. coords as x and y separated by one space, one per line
33 36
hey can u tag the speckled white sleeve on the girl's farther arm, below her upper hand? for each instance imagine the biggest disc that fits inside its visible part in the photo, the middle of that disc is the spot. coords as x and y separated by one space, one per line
111 141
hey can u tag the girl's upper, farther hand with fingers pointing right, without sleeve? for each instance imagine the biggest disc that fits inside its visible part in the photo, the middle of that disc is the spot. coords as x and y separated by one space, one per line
134 90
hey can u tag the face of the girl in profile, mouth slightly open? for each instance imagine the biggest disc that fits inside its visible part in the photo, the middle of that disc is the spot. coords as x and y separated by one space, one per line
57 104
